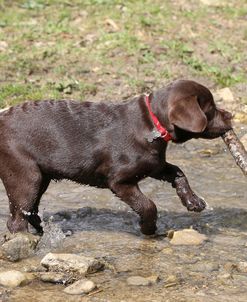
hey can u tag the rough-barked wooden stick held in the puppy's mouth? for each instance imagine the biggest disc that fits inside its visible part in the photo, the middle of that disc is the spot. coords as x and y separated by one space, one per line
237 149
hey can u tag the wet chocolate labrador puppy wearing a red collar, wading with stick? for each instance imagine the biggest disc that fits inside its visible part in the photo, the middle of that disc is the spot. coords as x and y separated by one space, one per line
104 145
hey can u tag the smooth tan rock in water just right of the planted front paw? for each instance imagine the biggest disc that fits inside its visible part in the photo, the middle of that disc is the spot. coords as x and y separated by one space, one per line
187 237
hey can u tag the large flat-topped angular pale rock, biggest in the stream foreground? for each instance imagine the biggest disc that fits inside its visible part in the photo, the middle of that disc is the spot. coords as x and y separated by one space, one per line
71 263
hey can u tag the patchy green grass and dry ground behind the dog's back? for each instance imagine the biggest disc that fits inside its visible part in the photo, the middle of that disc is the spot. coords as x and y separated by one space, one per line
95 48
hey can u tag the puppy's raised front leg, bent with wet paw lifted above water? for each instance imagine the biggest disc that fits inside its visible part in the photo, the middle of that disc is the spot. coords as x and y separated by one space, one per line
176 177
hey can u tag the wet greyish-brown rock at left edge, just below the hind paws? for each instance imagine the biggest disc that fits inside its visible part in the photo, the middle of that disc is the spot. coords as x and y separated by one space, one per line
18 246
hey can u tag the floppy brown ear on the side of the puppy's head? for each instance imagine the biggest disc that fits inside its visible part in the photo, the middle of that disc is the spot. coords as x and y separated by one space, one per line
186 114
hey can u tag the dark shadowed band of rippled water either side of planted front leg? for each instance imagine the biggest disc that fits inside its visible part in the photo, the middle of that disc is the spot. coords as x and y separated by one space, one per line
98 220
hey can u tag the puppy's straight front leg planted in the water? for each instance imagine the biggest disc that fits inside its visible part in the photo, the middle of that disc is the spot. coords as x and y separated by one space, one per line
143 206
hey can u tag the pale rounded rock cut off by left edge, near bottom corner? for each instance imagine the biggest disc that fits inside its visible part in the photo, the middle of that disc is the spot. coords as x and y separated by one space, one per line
13 278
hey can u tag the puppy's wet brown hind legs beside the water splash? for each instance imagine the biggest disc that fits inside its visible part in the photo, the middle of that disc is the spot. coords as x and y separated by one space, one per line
23 182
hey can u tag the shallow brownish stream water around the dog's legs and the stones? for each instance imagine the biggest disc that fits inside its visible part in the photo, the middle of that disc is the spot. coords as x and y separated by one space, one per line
102 226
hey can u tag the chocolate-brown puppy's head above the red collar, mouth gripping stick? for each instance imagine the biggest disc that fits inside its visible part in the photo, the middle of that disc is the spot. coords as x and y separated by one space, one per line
192 113
